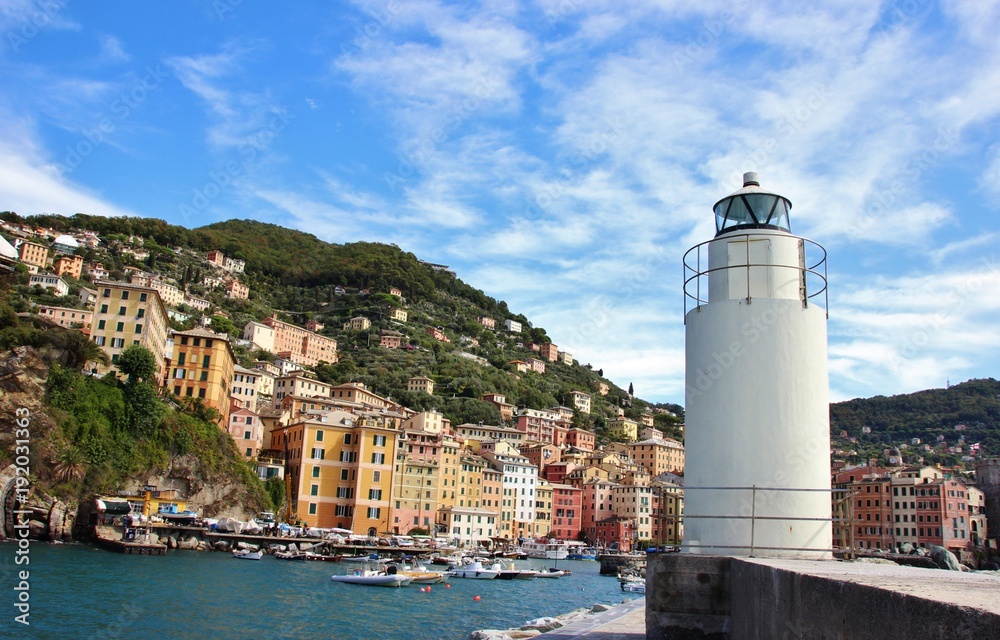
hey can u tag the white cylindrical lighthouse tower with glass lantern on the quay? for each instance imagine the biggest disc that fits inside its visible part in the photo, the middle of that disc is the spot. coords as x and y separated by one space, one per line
757 473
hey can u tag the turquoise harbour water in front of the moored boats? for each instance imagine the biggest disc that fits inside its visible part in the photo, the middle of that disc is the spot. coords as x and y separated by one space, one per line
78 591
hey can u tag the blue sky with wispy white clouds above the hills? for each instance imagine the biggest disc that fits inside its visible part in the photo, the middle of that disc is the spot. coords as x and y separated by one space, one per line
561 155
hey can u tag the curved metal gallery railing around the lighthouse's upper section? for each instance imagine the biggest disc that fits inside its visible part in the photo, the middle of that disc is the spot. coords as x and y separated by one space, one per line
812 272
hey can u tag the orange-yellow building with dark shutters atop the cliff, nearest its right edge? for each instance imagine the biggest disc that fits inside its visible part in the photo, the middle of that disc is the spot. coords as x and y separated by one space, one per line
202 366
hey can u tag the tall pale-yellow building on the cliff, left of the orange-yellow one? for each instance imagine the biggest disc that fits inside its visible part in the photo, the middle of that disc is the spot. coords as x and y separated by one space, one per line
125 315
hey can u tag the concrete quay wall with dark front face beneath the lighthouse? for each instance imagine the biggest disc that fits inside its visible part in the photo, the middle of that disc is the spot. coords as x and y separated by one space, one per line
720 598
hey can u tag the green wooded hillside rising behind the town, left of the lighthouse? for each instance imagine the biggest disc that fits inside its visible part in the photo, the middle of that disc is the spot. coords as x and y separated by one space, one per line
300 278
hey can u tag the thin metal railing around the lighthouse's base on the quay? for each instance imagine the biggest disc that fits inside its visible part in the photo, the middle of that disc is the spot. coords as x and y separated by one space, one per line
753 502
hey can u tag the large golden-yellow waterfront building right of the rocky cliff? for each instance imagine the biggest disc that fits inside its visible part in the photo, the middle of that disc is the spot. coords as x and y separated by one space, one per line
340 471
